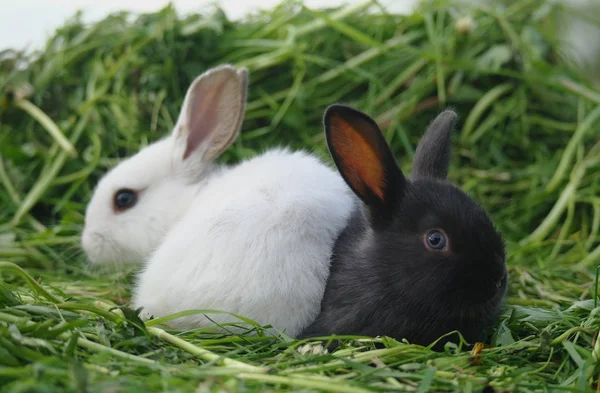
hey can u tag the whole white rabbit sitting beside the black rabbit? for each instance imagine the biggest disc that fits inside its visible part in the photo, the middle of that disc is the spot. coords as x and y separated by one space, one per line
253 239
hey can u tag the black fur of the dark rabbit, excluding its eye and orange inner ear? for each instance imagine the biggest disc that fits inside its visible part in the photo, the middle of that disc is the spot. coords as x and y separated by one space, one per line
383 279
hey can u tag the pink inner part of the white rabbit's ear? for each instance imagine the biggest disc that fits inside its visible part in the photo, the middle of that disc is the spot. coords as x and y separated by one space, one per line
202 114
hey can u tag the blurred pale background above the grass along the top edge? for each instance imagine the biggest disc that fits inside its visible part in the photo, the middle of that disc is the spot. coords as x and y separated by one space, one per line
28 23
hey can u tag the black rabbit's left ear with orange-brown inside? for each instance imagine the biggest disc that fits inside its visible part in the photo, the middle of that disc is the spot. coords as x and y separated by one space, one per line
363 158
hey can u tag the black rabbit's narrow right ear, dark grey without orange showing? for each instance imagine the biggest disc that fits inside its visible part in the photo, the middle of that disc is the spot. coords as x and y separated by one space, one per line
433 152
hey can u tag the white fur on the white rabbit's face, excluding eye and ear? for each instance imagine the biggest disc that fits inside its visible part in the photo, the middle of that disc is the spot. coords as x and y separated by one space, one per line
130 236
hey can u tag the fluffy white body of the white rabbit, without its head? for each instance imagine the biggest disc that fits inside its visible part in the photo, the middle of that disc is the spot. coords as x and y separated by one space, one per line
252 243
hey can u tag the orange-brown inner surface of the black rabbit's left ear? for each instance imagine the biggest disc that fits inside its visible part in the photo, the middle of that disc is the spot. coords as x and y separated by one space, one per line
357 155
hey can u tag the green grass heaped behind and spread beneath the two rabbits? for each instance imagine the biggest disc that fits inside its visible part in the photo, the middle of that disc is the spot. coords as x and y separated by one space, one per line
527 149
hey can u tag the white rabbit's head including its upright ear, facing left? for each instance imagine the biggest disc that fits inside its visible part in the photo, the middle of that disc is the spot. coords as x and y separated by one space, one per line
136 203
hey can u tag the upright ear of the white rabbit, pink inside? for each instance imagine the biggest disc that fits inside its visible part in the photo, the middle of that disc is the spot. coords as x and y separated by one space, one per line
212 113
